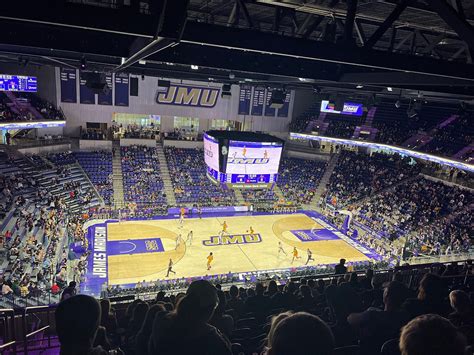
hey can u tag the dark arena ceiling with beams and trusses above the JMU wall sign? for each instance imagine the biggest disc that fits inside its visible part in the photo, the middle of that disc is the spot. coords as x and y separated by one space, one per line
322 45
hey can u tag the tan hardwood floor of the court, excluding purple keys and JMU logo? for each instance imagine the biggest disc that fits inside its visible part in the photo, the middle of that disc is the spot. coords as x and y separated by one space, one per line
190 260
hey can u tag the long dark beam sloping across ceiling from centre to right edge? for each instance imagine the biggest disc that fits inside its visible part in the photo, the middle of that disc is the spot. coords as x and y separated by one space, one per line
271 44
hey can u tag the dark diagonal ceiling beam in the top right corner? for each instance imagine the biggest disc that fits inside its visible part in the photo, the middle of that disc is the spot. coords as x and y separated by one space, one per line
452 18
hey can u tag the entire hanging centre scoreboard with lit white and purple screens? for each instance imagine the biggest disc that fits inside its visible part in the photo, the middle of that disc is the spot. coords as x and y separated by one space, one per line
242 159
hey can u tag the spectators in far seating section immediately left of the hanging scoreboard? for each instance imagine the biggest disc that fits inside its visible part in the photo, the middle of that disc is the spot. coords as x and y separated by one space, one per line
190 183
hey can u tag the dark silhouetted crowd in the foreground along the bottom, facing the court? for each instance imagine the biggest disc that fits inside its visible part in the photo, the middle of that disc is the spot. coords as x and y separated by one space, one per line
371 314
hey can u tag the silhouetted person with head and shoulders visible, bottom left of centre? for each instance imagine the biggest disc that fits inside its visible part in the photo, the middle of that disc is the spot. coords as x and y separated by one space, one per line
186 330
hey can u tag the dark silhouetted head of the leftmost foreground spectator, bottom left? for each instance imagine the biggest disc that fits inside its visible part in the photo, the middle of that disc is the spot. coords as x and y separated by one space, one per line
77 320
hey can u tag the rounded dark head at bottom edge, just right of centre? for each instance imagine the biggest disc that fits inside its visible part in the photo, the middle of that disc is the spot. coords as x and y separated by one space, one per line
300 334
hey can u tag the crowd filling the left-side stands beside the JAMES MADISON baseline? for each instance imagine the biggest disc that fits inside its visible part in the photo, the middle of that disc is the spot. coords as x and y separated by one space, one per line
35 237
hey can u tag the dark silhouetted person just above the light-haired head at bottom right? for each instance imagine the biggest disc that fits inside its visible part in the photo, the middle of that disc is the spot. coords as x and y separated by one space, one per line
431 298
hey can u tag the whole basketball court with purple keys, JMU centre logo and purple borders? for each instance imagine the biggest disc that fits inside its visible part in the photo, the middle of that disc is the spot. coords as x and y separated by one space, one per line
130 251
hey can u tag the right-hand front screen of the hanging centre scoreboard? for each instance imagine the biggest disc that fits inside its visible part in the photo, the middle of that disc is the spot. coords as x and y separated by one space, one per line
253 162
